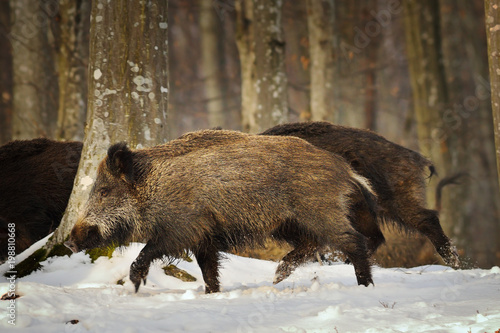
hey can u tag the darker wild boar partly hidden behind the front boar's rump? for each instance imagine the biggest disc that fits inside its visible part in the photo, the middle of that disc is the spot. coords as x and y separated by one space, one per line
395 172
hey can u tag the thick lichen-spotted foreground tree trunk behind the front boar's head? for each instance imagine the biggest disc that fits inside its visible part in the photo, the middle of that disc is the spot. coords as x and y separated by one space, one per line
127 76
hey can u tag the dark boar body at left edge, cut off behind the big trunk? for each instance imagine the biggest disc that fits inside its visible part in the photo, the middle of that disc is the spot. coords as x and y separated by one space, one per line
36 182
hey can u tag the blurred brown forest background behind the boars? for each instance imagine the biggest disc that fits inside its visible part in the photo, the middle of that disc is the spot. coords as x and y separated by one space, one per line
415 72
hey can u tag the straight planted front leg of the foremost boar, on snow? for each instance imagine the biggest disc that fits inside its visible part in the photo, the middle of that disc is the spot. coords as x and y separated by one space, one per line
207 256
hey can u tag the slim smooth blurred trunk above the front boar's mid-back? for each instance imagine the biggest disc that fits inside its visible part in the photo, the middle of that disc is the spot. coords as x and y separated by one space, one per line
212 57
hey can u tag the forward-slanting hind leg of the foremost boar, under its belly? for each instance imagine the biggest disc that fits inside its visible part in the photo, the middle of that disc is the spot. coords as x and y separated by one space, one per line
301 254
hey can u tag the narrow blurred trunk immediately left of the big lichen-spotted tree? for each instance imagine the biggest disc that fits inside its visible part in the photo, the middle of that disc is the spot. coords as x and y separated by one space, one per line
72 66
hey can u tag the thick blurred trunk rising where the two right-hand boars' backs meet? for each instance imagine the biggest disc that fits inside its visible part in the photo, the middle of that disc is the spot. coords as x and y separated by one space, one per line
261 47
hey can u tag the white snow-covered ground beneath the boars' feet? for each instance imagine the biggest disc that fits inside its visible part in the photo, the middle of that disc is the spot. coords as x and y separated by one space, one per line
313 299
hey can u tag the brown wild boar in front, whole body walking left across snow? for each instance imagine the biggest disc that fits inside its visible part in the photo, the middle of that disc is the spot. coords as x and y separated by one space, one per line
211 191
